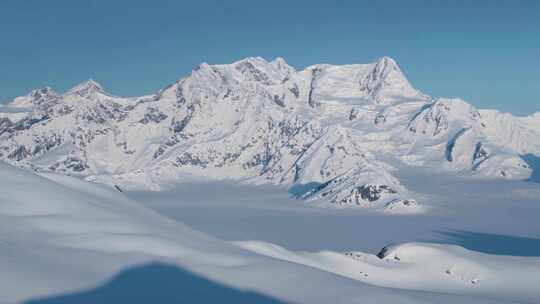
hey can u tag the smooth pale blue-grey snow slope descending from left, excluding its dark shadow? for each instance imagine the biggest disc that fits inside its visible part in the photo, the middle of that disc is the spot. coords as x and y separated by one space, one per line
61 234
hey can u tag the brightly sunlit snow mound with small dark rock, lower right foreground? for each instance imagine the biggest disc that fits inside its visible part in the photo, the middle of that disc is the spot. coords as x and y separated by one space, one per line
424 266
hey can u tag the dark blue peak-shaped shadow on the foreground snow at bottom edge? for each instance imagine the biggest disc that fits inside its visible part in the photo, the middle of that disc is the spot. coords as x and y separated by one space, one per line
158 283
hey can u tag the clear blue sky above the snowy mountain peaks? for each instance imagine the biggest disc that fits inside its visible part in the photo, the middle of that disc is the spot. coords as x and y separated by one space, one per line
486 52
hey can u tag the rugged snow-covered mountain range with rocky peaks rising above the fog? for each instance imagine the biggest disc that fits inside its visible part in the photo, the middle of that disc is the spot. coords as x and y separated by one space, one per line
342 128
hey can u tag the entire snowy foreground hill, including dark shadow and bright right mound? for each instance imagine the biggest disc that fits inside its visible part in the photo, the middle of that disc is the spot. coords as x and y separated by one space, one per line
65 240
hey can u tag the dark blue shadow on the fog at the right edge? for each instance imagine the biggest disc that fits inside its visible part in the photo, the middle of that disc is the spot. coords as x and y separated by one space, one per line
494 243
